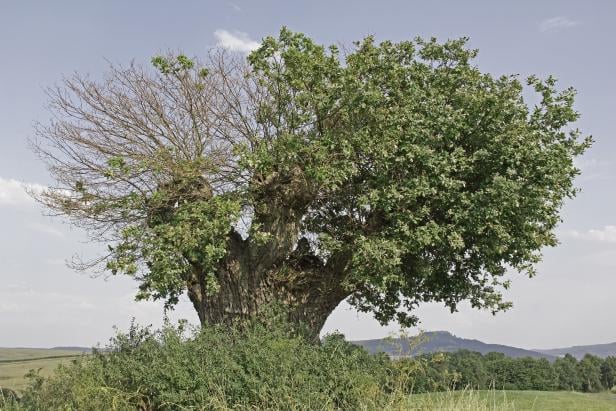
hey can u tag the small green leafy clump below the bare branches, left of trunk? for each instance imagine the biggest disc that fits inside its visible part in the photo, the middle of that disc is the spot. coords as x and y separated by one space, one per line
194 234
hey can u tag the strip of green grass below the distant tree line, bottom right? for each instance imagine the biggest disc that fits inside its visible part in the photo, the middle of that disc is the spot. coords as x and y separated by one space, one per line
514 401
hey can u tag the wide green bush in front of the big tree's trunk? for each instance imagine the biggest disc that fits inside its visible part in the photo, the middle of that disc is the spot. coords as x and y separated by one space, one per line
254 366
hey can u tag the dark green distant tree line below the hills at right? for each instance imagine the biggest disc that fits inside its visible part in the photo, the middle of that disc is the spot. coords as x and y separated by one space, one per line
468 369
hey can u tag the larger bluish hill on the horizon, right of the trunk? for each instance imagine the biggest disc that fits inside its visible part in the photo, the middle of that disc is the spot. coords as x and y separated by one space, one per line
436 341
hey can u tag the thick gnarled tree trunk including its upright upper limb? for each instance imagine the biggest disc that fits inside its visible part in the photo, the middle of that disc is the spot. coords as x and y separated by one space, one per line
283 269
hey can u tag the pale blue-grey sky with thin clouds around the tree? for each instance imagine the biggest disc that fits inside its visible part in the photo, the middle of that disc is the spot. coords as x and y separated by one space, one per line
43 303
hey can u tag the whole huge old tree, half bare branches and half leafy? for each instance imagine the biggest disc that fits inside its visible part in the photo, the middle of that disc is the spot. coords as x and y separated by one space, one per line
396 174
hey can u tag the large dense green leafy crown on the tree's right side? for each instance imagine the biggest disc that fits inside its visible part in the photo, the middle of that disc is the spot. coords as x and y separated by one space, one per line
437 175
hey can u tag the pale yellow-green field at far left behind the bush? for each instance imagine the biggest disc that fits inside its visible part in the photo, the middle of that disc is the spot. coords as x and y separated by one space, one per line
16 362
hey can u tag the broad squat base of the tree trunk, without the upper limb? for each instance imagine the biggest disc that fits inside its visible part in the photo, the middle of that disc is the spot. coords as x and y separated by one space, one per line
308 289
